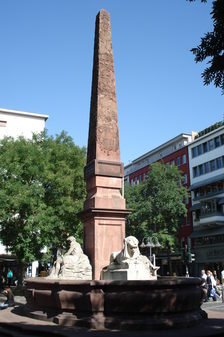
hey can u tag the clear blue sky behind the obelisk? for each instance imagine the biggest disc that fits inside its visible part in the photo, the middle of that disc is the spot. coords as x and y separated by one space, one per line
46 67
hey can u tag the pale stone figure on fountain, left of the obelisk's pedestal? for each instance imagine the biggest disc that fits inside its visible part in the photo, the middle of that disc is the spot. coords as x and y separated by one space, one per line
74 264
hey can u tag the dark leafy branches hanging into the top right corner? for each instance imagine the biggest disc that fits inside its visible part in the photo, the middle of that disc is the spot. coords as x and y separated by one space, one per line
212 47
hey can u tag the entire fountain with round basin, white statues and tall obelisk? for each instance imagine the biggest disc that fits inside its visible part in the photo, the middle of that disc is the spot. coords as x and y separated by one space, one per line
128 295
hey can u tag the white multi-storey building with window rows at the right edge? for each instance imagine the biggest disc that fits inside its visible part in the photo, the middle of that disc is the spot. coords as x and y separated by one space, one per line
206 163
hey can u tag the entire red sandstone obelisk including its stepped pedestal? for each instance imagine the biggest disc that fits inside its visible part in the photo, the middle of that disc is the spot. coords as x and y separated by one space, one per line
104 209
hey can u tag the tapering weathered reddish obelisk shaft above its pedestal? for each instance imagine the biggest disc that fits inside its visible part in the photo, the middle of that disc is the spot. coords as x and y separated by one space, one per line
103 140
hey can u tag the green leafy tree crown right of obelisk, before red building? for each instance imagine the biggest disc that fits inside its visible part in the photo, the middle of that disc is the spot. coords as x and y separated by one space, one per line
158 205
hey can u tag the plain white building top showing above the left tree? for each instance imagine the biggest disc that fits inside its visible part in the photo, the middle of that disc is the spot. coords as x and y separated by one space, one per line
18 123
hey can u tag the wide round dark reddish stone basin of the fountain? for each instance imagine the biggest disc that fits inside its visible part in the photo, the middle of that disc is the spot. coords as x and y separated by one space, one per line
164 303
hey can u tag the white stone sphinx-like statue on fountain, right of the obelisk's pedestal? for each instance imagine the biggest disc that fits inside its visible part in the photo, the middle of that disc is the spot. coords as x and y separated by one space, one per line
129 264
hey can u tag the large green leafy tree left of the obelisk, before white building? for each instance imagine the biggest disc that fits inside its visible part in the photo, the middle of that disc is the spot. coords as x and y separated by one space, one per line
41 192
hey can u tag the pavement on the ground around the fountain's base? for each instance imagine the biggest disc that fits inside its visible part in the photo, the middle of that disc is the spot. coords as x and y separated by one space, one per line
14 324
